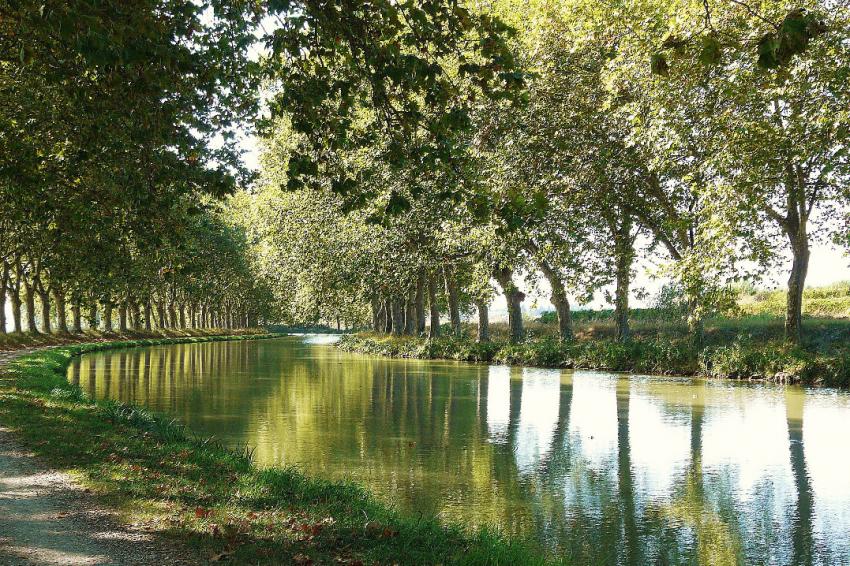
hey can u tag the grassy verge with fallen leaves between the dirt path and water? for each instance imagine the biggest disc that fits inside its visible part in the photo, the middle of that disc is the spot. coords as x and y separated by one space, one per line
214 499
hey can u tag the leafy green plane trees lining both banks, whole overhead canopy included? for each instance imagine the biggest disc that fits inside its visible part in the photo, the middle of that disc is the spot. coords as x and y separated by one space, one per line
418 156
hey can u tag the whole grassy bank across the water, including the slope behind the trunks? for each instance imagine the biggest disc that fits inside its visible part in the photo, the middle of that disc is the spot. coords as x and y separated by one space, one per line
742 348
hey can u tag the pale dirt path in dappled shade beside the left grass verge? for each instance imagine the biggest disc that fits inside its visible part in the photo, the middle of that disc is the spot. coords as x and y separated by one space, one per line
45 518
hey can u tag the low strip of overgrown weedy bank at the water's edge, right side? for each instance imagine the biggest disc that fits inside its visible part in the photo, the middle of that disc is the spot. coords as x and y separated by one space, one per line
770 360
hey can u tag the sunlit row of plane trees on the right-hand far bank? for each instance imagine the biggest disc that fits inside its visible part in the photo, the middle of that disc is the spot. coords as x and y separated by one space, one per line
709 138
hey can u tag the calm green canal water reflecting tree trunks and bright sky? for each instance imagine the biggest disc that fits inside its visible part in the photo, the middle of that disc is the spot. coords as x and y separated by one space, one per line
603 467
